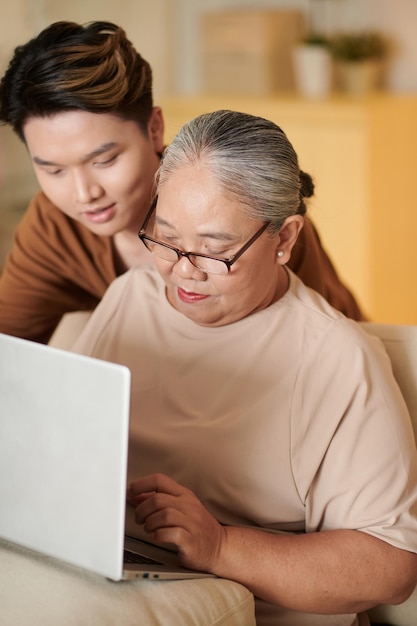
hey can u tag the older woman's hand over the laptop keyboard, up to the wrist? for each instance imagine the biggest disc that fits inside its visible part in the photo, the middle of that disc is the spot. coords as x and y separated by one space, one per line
172 513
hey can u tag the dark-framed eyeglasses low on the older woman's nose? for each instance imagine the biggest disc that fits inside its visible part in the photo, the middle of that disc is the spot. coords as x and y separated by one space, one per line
203 262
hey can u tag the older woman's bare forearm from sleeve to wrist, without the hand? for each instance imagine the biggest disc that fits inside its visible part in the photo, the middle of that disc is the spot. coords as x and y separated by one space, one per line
340 571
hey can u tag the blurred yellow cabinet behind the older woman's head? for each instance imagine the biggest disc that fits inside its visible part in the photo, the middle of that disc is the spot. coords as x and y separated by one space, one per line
362 154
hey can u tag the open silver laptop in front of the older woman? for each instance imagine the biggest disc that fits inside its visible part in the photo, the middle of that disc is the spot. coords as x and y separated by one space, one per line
64 428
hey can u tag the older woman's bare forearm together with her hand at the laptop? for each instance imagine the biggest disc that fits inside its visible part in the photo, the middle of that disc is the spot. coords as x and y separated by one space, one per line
340 571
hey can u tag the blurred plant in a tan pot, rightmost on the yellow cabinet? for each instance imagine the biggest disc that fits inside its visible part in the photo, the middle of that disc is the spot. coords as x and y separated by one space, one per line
359 60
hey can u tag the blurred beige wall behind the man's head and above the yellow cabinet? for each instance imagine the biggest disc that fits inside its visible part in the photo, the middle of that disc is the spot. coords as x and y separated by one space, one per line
167 33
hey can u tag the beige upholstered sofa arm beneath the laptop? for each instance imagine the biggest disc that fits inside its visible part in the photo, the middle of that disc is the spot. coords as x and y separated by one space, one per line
40 591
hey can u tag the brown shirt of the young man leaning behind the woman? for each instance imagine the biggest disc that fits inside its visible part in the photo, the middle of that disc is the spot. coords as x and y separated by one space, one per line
57 265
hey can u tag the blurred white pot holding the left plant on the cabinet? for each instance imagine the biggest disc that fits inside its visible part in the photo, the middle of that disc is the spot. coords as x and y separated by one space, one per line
312 70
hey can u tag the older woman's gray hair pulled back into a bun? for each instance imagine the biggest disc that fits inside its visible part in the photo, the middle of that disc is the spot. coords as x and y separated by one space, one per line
251 158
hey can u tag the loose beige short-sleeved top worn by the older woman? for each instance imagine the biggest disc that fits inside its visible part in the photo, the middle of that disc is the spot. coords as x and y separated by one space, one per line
288 420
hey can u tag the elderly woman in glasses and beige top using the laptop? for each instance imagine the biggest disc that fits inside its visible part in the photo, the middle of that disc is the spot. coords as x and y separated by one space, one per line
269 441
